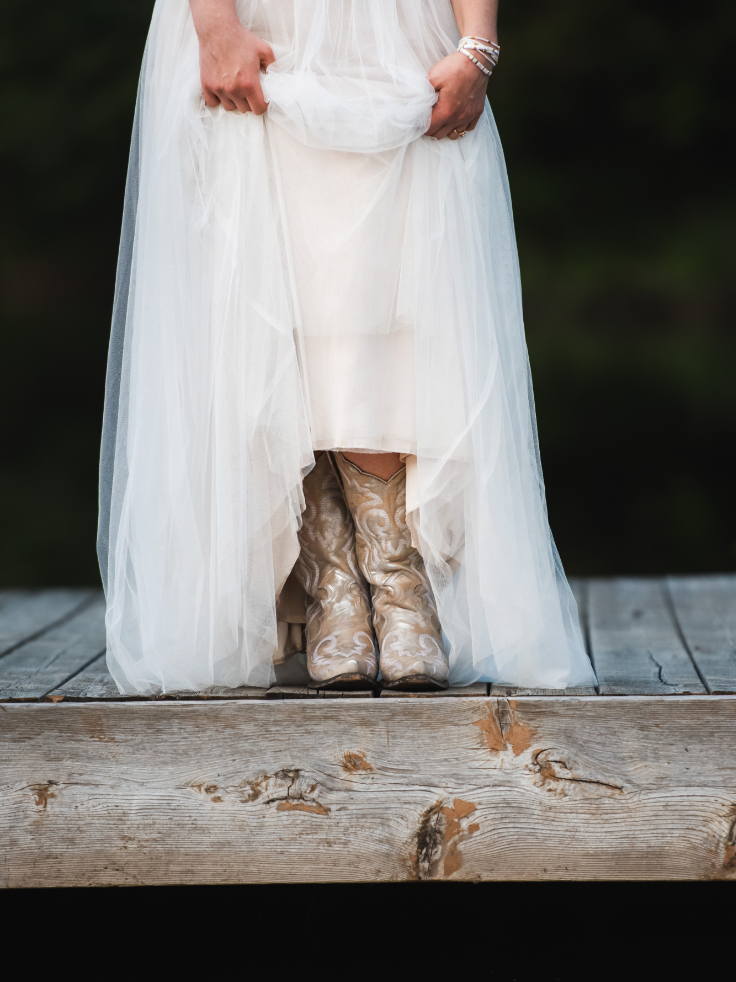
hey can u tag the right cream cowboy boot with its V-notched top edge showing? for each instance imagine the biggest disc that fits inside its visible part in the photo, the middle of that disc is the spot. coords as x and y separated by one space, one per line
404 610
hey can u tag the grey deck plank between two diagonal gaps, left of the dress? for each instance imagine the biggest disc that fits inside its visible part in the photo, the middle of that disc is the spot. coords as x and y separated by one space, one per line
39 666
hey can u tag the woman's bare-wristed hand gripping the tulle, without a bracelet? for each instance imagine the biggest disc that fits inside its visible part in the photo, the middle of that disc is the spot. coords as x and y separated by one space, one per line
230 58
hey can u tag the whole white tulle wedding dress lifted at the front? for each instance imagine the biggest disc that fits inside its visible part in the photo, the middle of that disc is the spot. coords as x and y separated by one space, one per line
259 257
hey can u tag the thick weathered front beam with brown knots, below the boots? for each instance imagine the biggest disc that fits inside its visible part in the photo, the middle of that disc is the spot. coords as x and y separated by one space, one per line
367 790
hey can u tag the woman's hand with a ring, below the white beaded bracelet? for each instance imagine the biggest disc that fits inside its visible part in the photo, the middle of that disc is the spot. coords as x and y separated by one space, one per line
461 96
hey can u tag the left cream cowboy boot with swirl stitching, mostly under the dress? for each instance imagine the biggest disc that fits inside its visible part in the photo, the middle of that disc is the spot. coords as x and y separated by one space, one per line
340 640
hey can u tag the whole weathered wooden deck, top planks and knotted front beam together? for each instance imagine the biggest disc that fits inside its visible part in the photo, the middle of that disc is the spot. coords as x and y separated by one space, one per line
633 780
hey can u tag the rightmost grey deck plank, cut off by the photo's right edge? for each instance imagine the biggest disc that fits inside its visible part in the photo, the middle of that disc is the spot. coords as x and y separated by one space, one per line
705 607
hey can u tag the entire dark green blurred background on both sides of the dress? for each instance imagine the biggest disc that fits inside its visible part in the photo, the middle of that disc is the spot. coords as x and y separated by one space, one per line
616 117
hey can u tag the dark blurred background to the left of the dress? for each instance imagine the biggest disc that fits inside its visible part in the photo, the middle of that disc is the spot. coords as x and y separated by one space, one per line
68 79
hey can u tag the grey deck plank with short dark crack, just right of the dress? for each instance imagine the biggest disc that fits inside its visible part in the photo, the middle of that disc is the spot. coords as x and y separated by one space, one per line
635 643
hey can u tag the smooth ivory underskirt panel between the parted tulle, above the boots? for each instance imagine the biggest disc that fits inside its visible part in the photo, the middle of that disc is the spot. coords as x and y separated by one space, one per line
345 240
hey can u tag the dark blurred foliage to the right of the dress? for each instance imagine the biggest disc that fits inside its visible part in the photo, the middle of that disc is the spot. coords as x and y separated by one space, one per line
616 118
